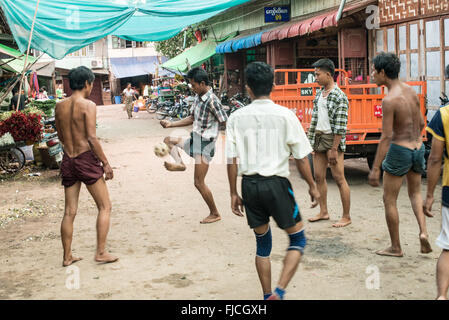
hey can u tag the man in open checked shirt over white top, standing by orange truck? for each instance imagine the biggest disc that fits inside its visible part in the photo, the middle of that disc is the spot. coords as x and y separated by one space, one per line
327 135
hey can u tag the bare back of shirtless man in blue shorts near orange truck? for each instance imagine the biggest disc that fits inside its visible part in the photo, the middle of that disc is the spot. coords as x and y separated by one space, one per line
408 121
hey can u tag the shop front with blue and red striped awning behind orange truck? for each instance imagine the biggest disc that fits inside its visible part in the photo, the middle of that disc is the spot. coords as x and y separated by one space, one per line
298 44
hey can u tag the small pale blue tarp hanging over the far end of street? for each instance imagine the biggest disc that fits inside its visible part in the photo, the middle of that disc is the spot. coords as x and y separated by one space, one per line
135 66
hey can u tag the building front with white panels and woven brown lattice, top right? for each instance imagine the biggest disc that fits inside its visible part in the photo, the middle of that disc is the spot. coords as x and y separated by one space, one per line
418 33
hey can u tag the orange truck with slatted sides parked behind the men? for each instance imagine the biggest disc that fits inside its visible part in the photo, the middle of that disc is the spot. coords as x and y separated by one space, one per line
296 89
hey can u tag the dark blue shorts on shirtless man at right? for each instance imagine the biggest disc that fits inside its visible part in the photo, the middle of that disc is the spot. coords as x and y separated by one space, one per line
400 160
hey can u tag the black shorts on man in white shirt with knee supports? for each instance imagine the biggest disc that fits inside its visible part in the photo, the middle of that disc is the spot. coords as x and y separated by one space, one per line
269 196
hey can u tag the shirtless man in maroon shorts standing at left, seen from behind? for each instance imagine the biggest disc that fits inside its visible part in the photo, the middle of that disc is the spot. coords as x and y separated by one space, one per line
76 126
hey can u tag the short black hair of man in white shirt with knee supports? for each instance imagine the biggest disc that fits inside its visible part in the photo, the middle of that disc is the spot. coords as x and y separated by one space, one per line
259 77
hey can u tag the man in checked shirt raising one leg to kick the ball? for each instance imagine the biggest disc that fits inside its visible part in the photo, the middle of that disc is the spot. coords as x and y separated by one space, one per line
207 115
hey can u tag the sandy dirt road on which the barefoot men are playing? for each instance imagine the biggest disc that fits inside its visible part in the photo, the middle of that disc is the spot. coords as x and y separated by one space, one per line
165 253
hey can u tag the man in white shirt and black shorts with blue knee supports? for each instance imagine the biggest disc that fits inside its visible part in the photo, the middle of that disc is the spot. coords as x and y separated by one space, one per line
262 136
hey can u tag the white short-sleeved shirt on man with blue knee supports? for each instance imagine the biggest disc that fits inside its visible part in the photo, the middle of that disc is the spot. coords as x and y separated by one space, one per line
262 136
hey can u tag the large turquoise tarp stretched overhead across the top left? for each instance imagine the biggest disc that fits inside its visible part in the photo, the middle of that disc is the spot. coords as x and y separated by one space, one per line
65 26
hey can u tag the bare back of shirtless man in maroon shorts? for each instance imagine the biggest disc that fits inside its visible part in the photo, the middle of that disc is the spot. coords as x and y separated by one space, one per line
71 116
